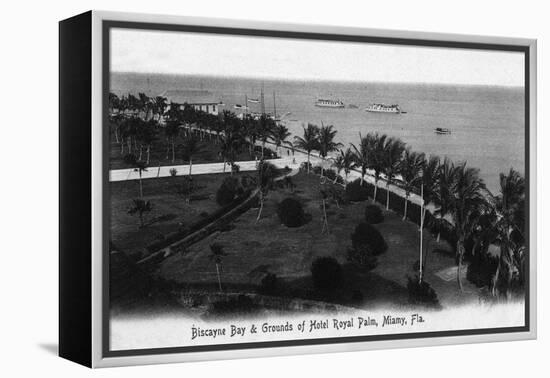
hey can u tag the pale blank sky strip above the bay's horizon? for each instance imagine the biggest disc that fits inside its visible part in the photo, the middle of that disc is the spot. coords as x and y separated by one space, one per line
184 53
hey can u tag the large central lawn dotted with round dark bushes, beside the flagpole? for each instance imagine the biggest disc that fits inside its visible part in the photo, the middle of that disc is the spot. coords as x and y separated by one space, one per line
255 248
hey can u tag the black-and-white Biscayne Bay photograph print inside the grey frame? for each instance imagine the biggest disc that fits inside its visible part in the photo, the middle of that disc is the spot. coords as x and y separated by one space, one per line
267 189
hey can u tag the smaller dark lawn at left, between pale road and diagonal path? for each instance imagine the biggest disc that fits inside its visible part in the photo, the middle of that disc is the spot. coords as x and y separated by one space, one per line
170 213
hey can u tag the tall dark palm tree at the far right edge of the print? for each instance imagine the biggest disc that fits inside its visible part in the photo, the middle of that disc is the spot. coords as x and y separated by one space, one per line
510 207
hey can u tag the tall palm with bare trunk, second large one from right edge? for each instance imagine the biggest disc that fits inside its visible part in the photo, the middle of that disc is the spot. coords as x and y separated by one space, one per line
467 197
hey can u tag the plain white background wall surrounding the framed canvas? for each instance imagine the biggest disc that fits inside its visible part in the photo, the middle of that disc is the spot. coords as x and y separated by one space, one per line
28 201
